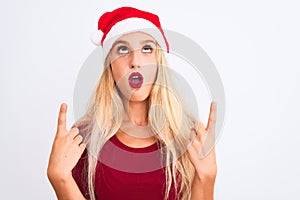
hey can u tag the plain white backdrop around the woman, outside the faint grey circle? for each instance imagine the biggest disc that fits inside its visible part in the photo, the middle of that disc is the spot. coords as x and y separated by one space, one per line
254 45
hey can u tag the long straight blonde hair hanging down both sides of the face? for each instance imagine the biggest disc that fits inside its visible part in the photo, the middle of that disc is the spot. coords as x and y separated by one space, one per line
104 117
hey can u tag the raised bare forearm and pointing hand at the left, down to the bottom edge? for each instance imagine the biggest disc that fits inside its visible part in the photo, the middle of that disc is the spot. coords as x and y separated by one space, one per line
66 151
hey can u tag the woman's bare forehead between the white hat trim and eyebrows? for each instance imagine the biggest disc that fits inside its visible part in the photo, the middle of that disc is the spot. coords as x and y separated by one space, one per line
136 38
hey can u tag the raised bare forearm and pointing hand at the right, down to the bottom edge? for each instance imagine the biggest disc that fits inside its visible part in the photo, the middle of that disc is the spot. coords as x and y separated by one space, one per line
206 168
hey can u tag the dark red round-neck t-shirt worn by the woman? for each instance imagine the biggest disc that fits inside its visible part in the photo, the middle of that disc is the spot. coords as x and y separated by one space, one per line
124 172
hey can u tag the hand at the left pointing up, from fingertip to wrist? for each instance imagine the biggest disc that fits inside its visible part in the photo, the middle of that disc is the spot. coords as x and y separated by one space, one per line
66 150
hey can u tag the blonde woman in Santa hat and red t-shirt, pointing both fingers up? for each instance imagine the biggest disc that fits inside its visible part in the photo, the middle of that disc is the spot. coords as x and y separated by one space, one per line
135 140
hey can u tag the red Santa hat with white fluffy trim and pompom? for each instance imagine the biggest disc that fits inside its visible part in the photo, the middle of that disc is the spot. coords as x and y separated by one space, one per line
112 25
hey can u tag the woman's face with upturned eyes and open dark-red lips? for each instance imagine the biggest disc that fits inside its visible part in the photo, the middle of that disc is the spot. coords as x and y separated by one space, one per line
133 64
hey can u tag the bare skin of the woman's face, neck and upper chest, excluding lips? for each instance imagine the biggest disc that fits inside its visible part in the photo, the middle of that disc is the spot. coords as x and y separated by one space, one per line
134 52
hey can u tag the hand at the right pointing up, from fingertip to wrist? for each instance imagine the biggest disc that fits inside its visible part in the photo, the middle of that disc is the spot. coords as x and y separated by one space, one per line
202 151
